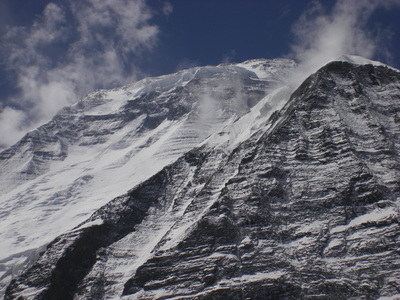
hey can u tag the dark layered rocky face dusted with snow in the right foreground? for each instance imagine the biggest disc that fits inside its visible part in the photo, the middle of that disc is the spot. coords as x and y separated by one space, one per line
306 207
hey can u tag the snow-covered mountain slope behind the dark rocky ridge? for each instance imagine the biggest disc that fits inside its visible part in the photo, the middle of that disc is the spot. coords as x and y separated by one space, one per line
101 147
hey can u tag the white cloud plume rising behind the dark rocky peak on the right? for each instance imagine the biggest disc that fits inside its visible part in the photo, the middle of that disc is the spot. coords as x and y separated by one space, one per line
321 37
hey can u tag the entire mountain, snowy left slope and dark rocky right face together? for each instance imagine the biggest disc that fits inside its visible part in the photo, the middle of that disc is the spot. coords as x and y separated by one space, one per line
255 191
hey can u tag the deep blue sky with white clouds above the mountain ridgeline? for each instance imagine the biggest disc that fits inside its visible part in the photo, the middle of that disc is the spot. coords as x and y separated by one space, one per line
54 52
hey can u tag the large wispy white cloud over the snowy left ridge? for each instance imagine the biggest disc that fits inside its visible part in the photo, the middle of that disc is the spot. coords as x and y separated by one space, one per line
70 50
